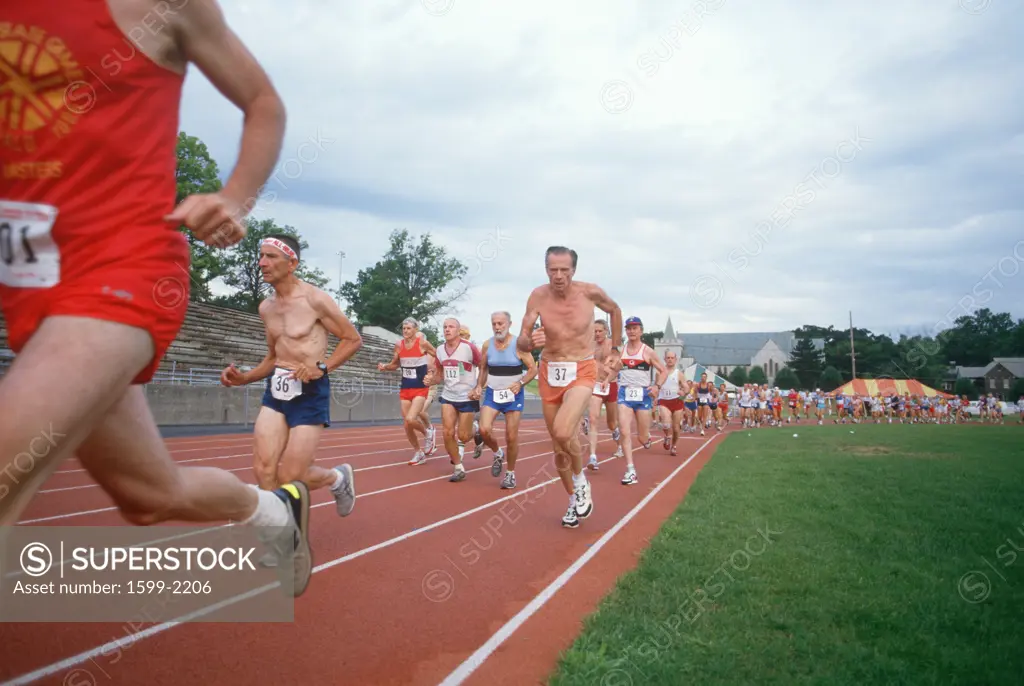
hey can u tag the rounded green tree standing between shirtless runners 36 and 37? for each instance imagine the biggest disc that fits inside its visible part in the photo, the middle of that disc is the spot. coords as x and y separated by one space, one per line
413 279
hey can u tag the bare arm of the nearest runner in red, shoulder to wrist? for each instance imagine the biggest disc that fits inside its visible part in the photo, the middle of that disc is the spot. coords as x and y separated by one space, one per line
206 40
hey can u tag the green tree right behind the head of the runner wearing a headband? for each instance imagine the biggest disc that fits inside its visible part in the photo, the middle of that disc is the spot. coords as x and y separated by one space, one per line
242 267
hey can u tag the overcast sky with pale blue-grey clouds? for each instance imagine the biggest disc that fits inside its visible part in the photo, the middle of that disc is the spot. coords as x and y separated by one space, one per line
740 165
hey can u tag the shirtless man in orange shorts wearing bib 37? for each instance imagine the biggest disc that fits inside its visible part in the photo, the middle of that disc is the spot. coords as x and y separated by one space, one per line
568 371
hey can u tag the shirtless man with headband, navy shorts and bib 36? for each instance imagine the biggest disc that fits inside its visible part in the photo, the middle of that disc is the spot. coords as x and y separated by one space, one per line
297 400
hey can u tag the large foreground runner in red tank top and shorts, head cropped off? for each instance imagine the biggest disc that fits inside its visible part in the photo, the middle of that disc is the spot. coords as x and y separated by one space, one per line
94 272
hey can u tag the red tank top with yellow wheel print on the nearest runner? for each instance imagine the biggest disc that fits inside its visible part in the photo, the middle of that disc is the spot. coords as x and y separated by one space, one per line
89 125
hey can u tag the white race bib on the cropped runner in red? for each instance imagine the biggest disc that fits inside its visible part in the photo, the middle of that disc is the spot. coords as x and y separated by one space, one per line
29 256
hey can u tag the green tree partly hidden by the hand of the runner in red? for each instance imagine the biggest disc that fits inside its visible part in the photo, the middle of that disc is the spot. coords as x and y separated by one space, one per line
198 174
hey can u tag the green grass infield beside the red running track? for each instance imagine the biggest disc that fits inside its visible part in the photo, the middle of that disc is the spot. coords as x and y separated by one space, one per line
848 555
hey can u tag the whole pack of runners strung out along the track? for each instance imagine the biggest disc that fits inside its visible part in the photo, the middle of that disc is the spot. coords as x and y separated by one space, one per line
92 242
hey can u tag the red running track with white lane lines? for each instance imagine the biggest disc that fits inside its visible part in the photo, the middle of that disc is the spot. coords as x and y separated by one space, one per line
425 583
